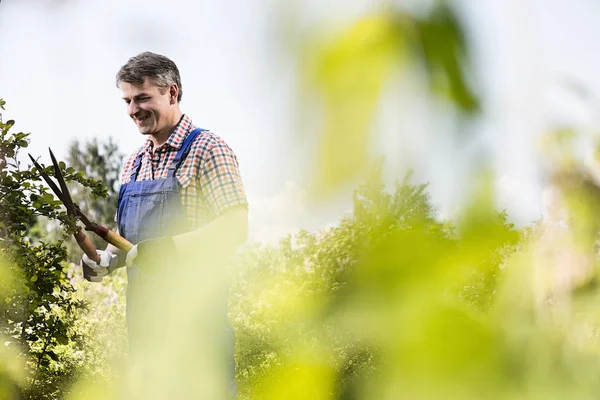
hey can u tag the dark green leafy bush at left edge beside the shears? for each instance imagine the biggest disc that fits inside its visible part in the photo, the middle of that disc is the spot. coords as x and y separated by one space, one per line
39 306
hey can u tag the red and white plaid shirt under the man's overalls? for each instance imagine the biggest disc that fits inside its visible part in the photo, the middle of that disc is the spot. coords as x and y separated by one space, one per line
209 178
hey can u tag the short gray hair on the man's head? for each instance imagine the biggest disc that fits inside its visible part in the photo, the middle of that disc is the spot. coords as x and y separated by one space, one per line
160 69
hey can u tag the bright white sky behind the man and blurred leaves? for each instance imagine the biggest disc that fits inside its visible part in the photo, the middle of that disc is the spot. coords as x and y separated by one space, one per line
58 59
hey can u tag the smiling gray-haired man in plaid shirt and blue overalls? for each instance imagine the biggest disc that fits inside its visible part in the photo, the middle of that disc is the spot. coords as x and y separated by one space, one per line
182 204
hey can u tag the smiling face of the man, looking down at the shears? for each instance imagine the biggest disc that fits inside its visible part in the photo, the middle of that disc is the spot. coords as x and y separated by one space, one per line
149 106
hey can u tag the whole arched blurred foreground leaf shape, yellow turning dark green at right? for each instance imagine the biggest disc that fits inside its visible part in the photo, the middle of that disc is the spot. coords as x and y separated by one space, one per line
350 70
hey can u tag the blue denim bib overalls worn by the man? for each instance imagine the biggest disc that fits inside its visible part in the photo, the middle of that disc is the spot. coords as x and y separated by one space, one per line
149 210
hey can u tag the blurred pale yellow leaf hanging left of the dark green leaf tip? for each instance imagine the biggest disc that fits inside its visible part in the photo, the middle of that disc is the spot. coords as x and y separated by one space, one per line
350 71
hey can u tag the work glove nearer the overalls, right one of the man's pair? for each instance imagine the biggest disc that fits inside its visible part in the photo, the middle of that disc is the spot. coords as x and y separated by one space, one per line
152 252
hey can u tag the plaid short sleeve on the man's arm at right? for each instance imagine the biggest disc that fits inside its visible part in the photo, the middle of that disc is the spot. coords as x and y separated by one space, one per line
220 179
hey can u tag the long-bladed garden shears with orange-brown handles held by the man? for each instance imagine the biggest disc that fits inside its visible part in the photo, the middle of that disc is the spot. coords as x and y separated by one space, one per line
73 209
